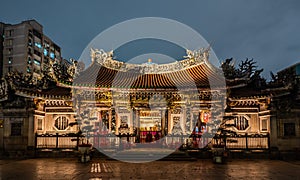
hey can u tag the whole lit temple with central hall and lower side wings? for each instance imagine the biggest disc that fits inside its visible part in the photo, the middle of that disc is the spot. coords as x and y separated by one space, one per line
185 101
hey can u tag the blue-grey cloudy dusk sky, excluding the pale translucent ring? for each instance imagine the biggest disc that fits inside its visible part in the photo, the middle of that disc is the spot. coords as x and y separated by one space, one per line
265 30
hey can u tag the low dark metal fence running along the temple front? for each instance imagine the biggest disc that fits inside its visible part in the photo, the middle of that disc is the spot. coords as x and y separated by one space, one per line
238 142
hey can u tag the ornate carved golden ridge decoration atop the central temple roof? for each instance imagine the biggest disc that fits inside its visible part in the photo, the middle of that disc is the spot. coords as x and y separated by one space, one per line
192 58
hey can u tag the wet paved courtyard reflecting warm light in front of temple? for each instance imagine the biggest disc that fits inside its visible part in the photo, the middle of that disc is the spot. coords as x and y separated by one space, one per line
70 168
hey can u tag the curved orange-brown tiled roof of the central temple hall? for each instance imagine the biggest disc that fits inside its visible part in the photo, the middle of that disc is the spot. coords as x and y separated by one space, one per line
201 75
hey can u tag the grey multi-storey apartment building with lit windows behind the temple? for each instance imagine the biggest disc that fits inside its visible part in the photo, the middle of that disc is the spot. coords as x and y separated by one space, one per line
26 48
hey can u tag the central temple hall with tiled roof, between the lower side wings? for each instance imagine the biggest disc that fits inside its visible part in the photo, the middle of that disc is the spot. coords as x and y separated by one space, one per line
150 100
